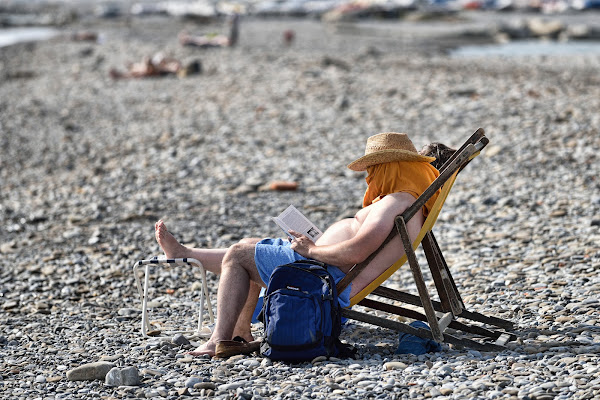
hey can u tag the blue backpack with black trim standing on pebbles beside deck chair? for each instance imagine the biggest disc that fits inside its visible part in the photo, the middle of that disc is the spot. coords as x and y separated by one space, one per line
301 314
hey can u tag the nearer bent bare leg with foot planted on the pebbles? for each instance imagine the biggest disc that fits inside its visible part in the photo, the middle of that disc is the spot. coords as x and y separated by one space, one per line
239 270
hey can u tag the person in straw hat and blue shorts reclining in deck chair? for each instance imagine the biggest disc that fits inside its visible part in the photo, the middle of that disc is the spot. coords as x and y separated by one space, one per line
397 175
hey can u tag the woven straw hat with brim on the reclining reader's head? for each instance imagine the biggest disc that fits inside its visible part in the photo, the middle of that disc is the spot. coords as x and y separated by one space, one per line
388 147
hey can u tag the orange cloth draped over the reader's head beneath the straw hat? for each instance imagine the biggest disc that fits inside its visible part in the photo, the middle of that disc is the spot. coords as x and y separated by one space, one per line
400 176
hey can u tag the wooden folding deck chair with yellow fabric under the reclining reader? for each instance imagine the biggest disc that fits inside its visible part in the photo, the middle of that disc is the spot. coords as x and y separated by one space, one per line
450 307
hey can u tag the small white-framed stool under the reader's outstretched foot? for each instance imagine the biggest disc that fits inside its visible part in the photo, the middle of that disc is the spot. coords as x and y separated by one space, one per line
202 330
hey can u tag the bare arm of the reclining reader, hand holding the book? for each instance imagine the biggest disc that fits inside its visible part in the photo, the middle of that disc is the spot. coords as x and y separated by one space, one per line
374 230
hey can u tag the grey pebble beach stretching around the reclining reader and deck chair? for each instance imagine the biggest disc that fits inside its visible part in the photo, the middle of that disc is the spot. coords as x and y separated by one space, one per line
88 163
